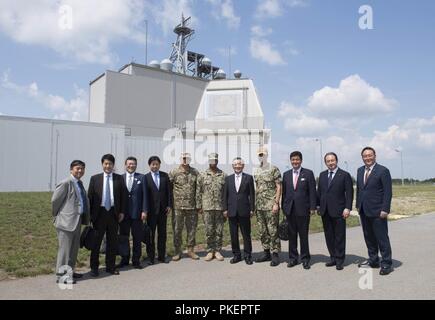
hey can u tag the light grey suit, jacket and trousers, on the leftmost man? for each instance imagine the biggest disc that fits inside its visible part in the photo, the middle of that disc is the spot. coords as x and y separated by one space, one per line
67 220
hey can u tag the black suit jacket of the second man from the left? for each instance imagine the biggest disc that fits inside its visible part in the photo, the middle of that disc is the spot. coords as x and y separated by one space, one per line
95 194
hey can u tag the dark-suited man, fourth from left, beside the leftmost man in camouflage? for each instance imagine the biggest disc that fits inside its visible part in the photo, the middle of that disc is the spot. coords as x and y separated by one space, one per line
159 195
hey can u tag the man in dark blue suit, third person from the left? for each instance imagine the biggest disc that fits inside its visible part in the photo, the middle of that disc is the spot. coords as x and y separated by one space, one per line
136 213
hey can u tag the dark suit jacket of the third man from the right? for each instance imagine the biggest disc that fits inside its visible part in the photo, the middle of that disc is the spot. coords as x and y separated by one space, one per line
304 198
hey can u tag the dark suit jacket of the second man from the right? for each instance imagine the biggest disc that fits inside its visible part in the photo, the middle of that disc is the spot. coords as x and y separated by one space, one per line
338 196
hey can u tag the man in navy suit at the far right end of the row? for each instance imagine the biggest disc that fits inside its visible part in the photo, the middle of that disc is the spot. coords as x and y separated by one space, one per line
373 201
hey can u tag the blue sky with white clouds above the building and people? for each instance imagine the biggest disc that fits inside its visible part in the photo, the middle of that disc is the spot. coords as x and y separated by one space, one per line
318 74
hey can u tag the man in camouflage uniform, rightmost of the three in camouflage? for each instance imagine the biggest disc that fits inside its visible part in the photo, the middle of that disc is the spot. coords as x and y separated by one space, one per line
268 193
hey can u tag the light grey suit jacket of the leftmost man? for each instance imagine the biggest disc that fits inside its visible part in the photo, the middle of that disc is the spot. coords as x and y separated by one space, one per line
65 204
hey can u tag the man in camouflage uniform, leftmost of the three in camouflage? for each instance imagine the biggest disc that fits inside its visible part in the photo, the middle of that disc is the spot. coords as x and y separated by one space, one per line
183 180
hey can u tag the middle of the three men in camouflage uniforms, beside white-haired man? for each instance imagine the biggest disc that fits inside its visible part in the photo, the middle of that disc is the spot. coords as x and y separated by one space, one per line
209 197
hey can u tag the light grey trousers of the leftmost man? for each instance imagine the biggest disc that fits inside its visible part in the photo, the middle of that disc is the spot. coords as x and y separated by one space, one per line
69 243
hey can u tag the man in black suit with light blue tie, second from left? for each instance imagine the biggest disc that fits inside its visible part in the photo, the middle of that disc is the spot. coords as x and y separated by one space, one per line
108 202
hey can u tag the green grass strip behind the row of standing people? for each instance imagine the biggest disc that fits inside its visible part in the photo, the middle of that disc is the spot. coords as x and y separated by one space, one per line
28 242
